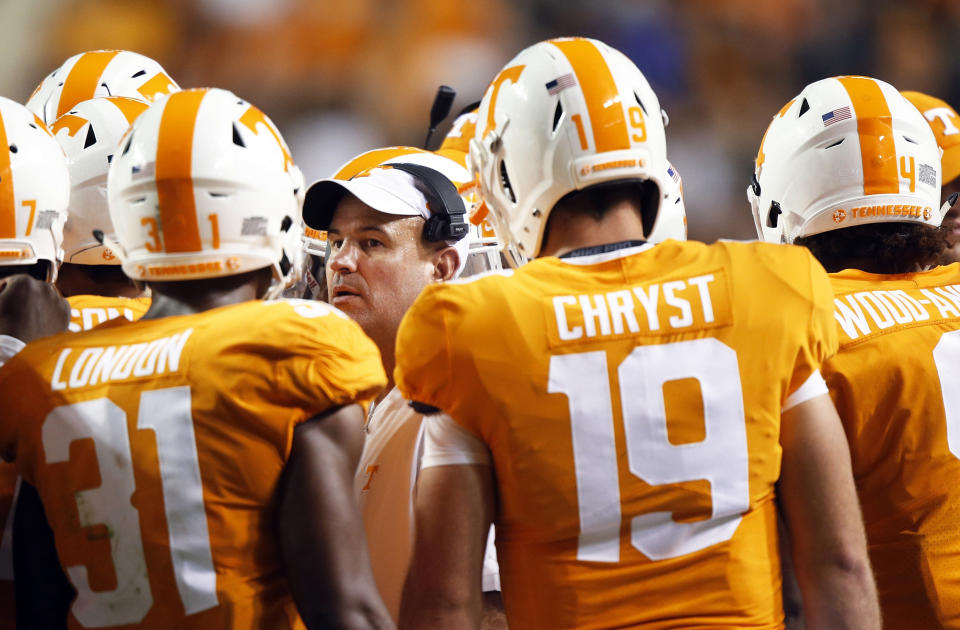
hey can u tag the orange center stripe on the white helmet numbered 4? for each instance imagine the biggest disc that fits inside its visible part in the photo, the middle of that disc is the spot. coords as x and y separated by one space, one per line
875 128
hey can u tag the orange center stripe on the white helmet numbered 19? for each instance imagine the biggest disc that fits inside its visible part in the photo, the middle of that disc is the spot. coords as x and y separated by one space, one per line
600 91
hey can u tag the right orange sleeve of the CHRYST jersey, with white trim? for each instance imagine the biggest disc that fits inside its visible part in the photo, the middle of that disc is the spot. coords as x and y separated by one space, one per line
820 340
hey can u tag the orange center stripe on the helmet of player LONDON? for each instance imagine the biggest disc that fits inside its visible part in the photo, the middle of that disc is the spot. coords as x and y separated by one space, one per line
178 210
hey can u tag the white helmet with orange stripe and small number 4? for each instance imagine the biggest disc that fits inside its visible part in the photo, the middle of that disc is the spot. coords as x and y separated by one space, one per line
846 151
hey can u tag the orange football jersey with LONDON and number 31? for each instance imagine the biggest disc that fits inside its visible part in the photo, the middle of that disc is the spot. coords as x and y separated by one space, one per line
157 448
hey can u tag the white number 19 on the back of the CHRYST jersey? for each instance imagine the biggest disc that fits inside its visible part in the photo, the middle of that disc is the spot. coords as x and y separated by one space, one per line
721 457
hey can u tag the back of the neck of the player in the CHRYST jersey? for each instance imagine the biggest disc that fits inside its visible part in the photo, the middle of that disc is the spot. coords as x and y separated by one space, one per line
571 231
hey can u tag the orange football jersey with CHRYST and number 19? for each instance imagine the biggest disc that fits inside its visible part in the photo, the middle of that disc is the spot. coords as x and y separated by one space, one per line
631 402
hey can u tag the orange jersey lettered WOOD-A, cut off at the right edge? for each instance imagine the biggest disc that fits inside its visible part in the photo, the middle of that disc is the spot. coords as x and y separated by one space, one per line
896 383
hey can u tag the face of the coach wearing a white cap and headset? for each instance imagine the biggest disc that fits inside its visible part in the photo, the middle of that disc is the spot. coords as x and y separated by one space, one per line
378 265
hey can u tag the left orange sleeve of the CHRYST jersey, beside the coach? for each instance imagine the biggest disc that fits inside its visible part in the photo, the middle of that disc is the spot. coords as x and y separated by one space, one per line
424 366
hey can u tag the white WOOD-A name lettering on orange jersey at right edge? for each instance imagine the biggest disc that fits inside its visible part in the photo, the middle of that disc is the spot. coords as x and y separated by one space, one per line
866 312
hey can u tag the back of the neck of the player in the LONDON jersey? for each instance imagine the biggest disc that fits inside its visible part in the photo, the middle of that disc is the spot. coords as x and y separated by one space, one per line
196 296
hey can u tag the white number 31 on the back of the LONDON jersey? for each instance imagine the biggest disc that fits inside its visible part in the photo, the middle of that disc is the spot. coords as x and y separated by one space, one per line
167 413
